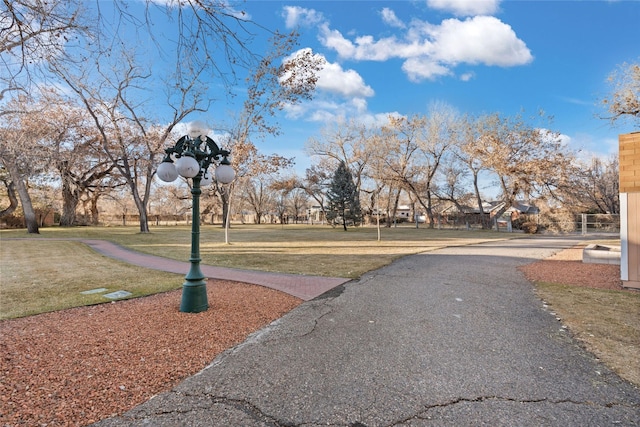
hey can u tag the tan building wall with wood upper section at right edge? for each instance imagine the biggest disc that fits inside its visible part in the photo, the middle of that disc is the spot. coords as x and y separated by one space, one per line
630 190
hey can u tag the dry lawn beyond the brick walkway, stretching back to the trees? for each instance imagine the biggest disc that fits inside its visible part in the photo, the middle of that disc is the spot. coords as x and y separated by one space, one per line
301 249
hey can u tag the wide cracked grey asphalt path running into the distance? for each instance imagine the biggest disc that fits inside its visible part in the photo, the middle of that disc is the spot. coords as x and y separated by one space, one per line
454 337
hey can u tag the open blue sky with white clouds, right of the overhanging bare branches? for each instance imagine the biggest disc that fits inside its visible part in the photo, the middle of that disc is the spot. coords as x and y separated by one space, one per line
398 57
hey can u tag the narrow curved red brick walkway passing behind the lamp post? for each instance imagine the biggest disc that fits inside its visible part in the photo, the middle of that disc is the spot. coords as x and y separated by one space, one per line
303 287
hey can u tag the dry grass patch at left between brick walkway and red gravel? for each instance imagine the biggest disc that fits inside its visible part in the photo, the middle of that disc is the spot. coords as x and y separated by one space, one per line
41 275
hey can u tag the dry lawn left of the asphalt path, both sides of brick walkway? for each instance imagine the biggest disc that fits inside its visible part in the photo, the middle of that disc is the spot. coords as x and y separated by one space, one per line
42 273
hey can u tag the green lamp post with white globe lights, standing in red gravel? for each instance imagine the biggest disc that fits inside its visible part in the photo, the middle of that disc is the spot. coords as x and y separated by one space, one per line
193 154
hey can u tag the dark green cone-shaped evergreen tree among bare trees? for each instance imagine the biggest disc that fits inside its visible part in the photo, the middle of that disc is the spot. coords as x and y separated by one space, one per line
344 201
